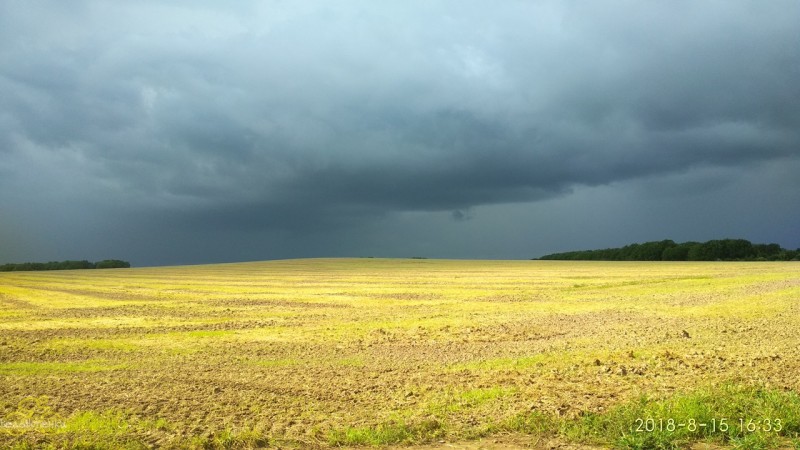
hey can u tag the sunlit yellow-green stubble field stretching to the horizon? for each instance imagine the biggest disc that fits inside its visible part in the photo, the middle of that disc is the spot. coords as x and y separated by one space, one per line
350 352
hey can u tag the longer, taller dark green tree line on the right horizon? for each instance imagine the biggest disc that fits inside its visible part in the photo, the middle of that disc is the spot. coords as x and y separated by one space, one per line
668 250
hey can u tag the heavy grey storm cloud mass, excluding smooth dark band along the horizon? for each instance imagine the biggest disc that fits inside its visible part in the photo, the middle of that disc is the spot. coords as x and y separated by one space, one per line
272 116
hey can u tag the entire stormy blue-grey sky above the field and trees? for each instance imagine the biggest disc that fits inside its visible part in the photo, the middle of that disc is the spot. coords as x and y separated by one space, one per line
167 132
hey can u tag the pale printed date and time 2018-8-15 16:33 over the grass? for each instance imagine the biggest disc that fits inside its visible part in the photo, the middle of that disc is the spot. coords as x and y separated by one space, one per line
721 425
